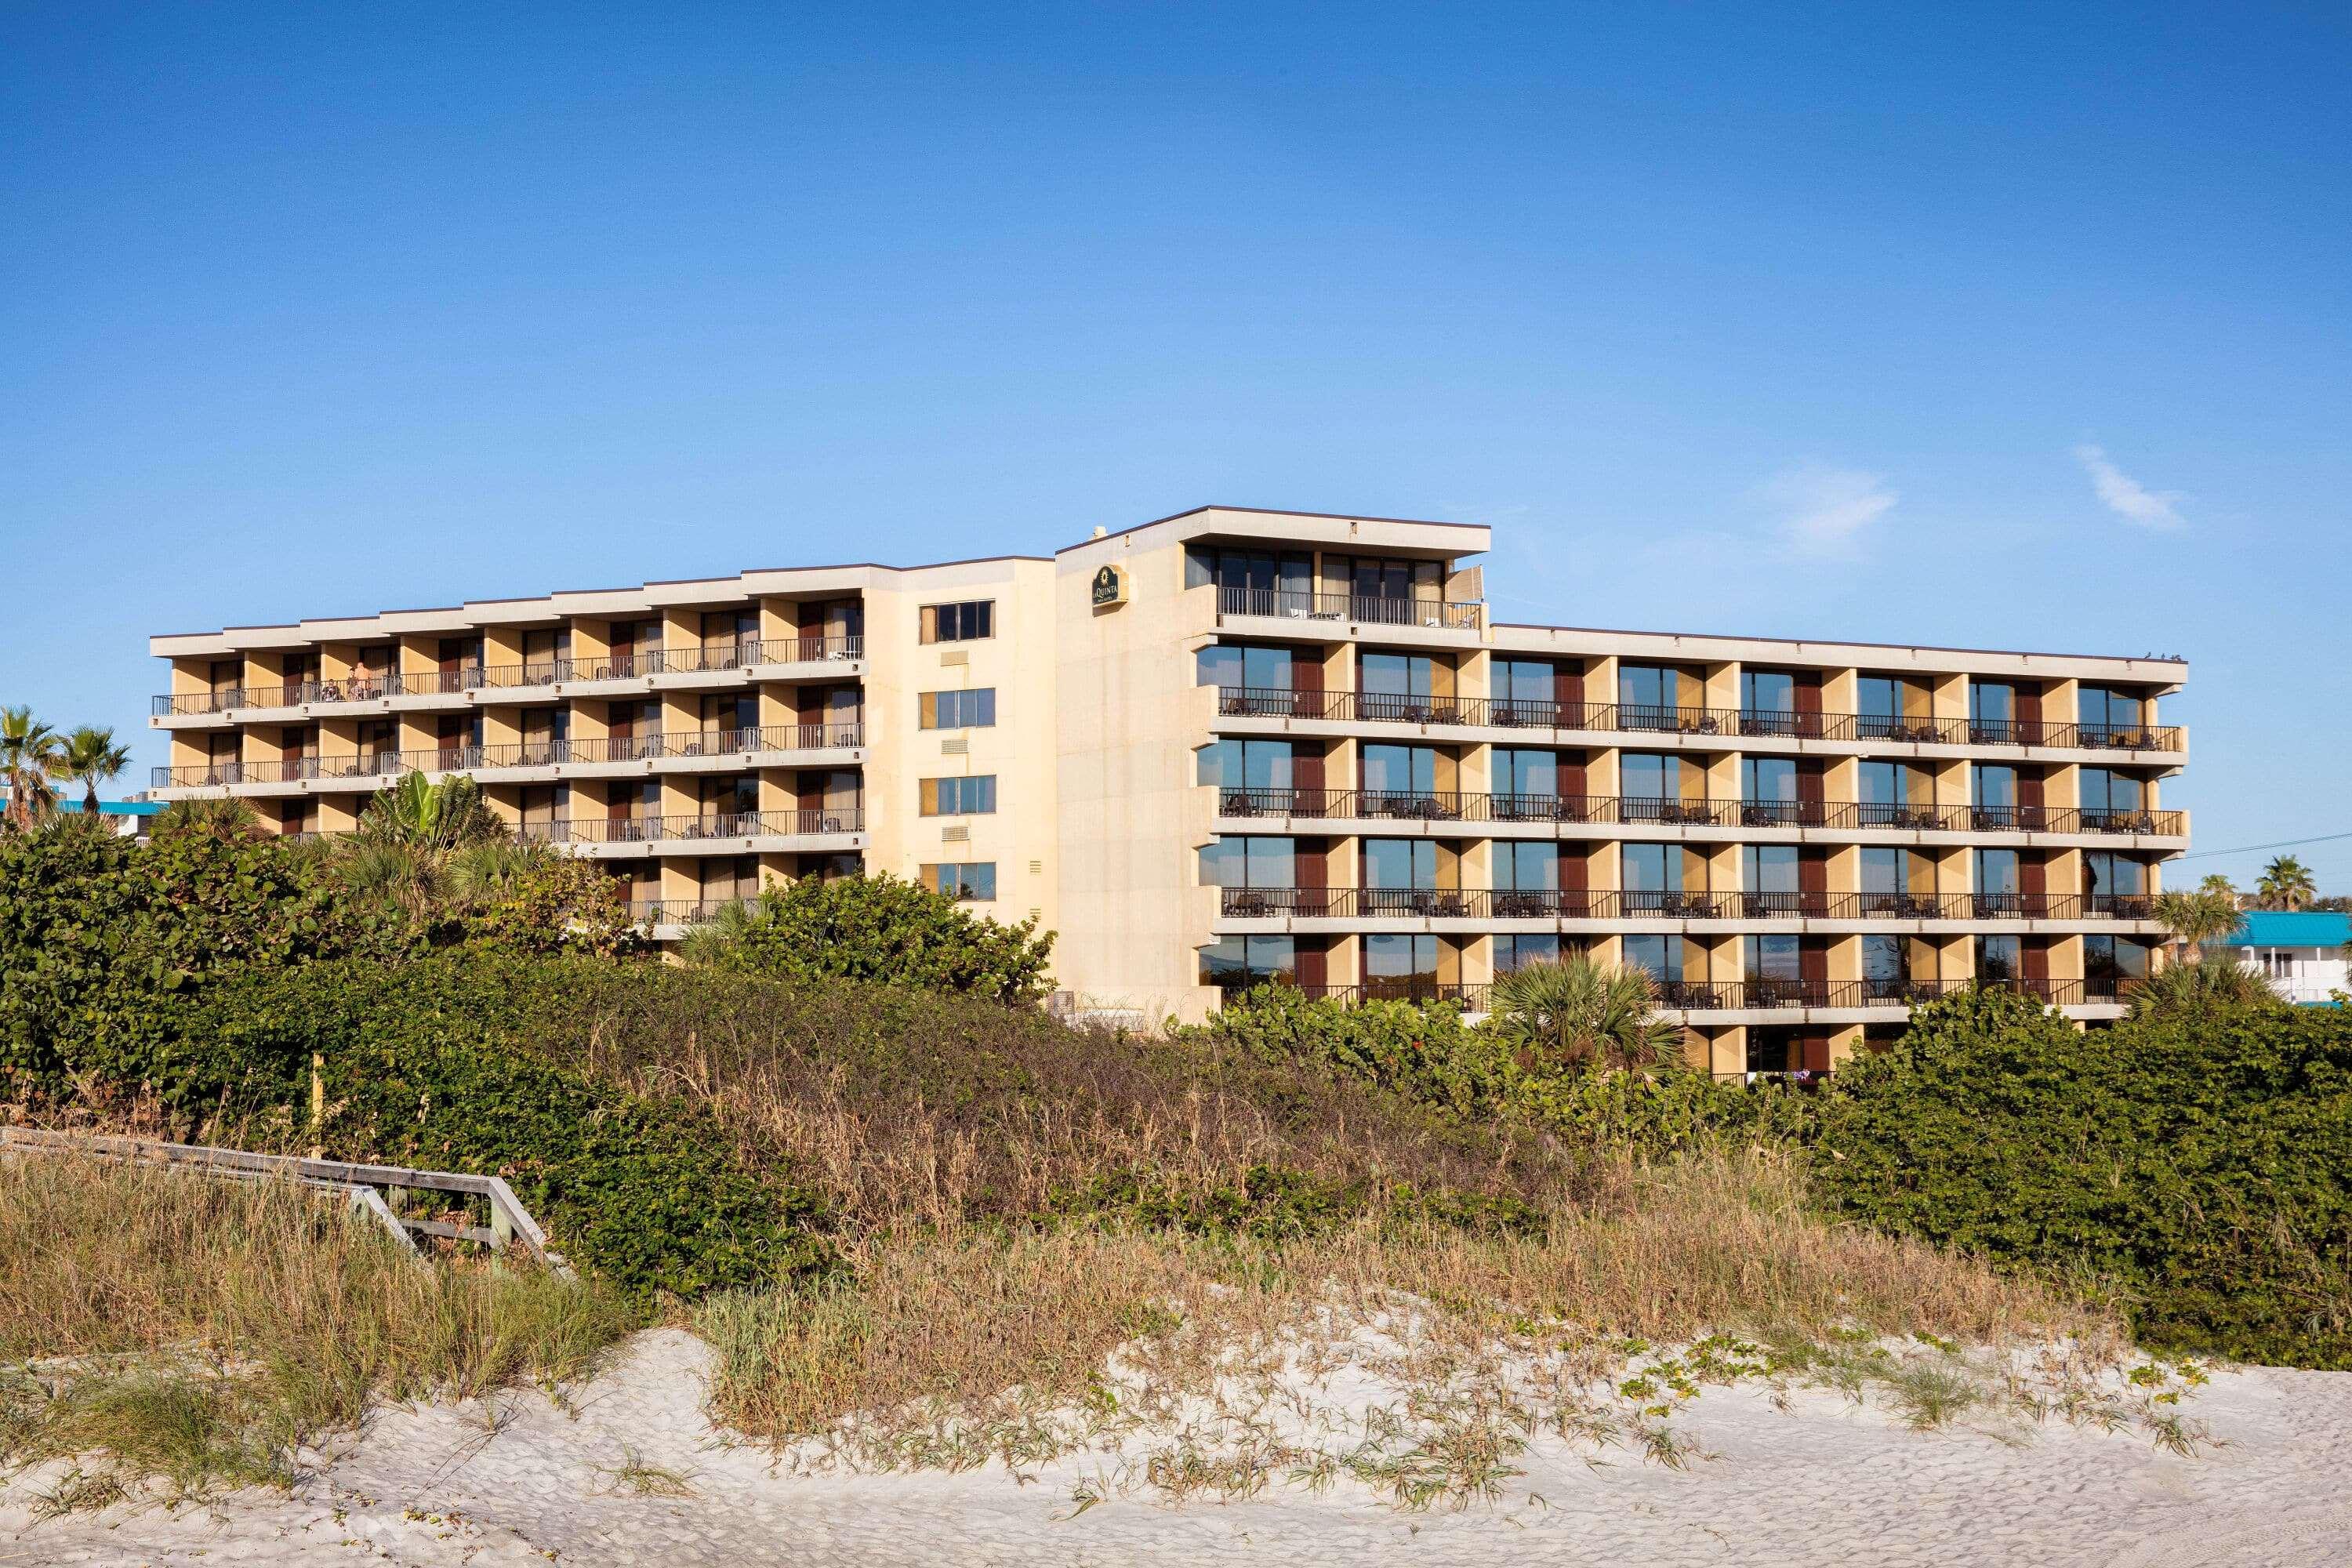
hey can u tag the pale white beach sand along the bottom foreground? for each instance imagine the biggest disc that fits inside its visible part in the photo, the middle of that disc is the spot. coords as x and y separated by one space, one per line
1822 1482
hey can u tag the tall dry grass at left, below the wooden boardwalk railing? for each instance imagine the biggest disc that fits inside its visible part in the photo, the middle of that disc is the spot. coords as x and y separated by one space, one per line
201 1332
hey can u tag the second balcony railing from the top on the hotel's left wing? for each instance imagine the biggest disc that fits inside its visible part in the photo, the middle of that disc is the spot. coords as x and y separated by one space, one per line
370 770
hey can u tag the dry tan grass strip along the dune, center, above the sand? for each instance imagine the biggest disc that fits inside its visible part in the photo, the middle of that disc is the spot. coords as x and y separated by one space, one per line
956 1343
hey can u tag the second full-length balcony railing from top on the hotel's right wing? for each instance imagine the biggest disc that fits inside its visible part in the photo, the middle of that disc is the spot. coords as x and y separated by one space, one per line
1457 808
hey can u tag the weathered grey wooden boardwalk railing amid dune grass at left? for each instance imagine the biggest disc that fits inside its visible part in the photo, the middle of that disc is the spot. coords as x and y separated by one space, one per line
363 1186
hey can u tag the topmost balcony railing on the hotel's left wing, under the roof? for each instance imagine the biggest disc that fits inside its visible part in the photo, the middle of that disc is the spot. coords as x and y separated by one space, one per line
709 659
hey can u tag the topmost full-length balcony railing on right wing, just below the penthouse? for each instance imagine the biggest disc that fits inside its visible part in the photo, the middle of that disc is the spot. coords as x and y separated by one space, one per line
1671 721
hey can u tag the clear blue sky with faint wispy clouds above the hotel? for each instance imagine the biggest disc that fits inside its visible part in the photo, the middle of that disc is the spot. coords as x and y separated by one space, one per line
1967 326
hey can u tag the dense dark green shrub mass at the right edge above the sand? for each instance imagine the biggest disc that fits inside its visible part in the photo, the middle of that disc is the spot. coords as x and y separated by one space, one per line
2200 1160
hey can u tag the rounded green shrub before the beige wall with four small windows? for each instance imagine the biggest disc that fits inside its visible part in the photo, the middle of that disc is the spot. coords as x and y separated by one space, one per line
878 930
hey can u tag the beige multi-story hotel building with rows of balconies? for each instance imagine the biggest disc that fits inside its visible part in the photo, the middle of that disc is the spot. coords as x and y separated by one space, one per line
1236 746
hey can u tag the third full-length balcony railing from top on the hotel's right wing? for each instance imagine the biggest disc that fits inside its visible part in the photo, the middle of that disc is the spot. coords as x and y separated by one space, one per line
1488 906
